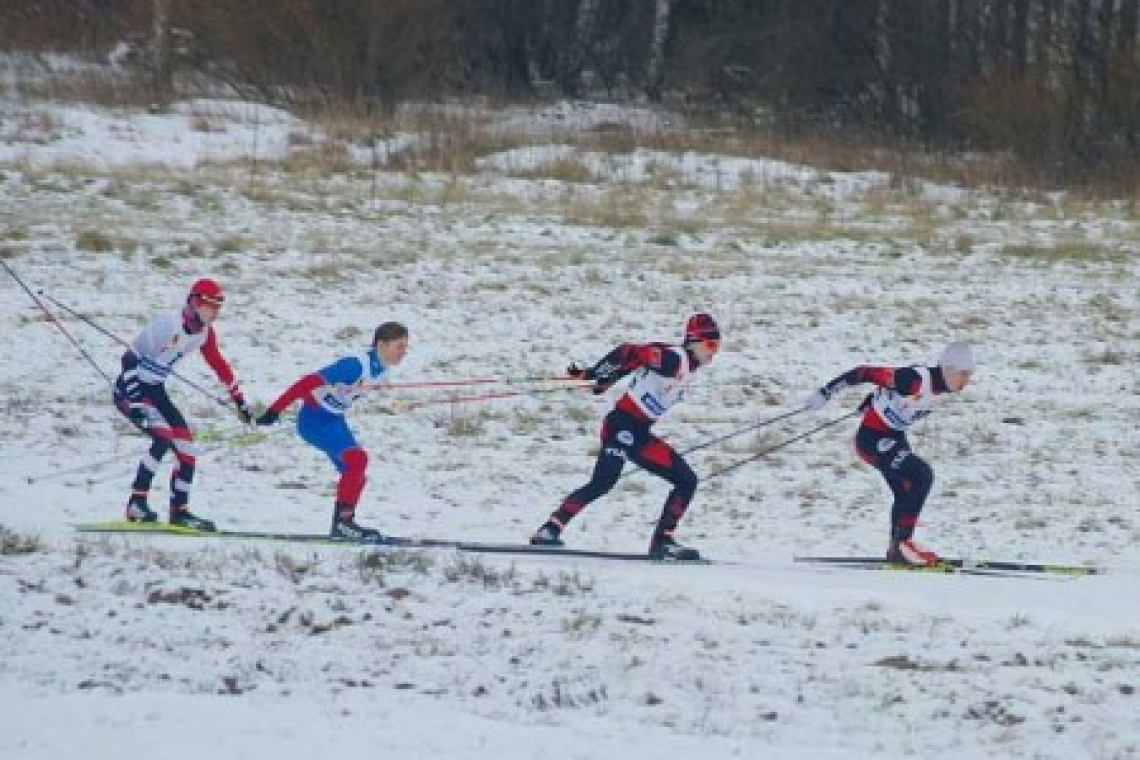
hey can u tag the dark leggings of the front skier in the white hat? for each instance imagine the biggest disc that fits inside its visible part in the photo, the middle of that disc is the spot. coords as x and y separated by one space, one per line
909 477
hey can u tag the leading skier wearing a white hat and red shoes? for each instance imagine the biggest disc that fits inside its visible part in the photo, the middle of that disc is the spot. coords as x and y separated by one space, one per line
905 396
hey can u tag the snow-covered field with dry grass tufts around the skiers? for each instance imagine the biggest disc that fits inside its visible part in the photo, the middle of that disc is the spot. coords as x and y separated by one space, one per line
174 649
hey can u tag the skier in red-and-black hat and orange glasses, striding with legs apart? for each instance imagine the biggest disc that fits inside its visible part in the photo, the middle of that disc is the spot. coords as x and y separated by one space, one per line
661 373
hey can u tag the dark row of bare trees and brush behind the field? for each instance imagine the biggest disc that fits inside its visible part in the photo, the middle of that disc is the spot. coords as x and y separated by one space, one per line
1057 81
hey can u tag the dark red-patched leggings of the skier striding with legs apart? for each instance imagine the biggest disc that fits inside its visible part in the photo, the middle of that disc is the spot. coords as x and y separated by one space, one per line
626 438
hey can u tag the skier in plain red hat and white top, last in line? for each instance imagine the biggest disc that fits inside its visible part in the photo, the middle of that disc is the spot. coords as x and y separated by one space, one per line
141 396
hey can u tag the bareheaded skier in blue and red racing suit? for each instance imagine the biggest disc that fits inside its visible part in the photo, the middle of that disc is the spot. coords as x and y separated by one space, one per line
327 396
